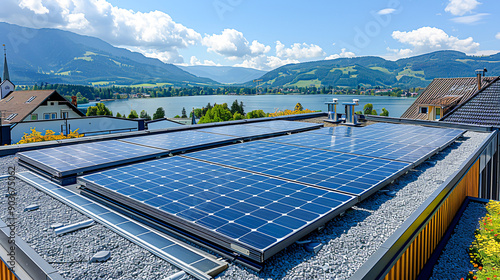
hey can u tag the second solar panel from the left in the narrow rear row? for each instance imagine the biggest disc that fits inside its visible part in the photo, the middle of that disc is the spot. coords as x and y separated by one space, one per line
180 140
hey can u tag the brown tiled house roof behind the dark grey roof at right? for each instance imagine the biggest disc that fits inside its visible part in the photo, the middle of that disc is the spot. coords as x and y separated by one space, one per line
445 92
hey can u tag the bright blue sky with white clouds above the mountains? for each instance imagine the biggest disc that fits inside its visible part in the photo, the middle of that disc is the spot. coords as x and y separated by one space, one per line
268 34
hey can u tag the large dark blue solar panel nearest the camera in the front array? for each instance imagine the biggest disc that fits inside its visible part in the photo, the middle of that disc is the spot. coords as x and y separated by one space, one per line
250 214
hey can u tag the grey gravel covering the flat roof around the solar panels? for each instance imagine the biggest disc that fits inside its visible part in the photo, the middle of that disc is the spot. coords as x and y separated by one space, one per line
348 240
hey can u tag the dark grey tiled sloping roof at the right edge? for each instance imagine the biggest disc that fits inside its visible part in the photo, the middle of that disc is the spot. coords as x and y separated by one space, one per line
483 108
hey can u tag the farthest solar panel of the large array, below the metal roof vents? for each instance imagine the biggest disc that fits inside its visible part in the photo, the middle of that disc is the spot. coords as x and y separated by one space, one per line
397 133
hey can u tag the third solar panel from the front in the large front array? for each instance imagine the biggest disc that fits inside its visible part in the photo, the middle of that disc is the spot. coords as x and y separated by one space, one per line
359 146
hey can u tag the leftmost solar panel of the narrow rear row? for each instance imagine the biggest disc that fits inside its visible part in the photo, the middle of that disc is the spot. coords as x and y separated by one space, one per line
73 159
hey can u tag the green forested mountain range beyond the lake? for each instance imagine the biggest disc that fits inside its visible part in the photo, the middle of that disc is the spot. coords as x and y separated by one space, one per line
56 56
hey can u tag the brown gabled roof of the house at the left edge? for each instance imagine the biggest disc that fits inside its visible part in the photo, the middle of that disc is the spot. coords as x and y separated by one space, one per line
24 103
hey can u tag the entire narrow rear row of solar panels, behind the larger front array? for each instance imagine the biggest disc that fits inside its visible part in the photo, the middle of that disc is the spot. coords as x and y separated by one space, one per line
68 161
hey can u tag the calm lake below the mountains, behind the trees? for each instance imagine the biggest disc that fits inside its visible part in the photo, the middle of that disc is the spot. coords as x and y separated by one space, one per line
269 103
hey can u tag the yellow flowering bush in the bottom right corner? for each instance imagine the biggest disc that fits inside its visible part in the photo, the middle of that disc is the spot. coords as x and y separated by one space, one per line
485 250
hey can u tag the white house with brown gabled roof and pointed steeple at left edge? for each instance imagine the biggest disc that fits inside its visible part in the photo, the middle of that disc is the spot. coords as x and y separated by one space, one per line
22 106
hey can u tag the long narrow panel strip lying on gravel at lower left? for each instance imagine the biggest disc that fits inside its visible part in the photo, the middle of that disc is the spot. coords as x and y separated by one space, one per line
174 251
